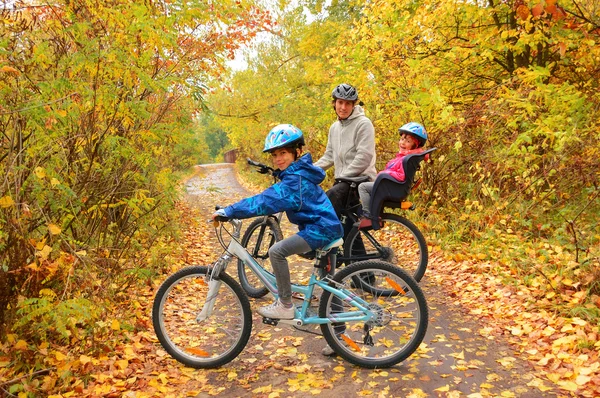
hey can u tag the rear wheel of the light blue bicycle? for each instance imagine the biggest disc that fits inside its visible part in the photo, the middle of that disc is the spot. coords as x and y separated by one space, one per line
396 330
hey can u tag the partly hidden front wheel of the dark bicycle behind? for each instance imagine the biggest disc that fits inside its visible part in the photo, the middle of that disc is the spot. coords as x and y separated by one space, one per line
258 239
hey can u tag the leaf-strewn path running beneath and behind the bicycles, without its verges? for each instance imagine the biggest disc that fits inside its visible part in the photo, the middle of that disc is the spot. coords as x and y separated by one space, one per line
460 355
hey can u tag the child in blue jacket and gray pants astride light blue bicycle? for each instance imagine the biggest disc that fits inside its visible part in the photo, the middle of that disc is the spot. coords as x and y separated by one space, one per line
305 203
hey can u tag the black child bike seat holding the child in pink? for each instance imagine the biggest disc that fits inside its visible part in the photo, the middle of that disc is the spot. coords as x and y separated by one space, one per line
389 192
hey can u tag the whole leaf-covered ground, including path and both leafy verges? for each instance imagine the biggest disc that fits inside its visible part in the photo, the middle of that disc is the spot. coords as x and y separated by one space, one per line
484 339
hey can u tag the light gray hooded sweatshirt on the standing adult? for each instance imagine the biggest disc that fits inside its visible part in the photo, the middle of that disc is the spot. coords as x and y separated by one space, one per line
351 147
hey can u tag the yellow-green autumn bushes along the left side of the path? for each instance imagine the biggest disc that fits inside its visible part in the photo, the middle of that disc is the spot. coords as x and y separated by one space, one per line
97 112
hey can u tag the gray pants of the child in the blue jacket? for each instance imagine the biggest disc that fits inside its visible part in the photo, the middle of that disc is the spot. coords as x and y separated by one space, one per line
295 244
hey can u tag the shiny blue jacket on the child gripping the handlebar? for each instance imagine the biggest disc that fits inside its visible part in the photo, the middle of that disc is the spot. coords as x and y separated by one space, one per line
303 200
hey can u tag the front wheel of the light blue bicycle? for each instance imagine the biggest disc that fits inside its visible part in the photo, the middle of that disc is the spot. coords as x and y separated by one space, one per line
177 318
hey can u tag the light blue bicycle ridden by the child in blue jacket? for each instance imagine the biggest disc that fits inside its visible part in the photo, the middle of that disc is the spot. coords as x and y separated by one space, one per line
202 317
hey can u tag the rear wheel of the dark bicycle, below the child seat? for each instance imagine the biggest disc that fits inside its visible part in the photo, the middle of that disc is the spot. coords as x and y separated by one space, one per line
399 242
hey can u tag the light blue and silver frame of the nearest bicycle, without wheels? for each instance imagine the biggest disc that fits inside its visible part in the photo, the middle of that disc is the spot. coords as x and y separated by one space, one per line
235 249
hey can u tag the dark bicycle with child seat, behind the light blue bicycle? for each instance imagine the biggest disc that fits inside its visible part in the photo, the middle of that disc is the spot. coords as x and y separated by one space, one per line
399 239
